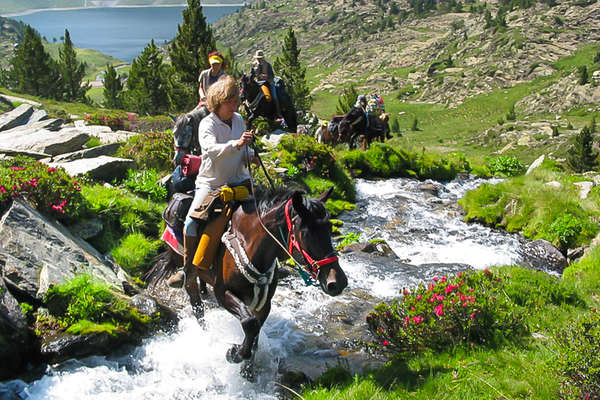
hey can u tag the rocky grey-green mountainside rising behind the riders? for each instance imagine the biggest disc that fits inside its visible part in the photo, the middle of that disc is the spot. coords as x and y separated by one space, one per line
441 57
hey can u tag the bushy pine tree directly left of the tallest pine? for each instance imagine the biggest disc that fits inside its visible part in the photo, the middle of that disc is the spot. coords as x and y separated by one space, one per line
146 86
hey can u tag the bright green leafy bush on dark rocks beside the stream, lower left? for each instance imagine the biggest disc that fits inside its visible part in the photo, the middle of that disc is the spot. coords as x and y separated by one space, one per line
86 299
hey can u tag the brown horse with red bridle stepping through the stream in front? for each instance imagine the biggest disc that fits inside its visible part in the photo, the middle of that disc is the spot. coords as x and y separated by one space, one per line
245 286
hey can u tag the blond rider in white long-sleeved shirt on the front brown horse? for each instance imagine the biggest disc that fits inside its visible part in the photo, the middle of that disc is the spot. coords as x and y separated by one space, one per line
223 138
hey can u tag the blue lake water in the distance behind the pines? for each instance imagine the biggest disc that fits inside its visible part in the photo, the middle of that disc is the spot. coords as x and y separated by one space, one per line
120 32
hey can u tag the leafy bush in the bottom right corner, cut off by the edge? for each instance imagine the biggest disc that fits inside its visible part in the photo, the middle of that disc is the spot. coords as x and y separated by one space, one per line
579 358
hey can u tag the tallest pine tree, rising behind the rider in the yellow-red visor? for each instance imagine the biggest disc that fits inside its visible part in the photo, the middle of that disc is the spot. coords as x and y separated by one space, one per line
189 50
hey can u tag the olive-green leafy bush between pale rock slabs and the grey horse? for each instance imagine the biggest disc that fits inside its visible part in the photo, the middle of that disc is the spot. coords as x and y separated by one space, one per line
150 150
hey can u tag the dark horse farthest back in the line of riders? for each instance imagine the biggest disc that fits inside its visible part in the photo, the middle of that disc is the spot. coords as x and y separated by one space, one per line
354 124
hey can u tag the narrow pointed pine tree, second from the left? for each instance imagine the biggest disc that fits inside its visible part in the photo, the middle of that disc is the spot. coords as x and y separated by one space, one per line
71 72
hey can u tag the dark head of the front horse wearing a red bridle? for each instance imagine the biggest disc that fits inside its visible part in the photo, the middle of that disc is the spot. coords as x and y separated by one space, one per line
312 231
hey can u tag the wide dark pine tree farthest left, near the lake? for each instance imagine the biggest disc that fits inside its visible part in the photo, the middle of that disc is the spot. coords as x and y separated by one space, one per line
32 70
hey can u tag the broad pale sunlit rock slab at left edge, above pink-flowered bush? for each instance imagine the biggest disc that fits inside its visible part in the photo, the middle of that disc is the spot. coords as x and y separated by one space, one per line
44 141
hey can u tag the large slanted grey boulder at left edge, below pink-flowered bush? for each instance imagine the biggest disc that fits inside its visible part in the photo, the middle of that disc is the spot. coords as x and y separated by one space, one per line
37 252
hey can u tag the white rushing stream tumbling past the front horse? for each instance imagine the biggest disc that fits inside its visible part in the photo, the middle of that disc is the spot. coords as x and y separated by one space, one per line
306 330
